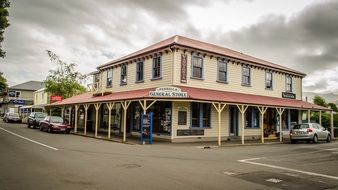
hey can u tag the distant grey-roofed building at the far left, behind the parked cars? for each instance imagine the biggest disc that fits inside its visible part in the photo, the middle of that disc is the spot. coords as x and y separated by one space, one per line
19 95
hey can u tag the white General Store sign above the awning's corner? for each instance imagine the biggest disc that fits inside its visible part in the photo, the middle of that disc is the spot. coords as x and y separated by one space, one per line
169 92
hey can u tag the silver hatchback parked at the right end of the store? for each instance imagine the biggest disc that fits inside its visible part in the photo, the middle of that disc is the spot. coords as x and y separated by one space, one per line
309 132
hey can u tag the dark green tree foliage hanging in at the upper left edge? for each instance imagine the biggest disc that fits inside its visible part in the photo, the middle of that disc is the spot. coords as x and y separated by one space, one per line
4 4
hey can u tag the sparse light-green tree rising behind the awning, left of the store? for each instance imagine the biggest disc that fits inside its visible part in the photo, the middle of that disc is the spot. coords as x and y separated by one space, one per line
64 80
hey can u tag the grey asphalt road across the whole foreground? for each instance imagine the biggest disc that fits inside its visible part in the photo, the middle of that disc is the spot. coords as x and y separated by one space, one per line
30 159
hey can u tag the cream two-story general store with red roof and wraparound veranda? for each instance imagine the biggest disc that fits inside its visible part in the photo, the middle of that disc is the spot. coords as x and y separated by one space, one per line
196 91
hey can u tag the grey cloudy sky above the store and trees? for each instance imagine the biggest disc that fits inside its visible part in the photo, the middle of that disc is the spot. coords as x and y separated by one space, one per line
301 35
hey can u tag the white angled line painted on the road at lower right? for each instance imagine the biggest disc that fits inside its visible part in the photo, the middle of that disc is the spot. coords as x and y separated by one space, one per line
249 161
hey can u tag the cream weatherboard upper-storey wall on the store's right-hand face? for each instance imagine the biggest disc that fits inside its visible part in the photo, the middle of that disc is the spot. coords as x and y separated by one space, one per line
234 78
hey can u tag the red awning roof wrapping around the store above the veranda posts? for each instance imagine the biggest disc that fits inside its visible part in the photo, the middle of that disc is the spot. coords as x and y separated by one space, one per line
195 94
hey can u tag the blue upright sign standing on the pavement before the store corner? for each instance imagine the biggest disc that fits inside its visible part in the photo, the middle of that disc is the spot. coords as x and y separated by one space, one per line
147 128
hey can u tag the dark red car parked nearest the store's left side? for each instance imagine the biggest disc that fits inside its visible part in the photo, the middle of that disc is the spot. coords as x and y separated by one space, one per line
54 124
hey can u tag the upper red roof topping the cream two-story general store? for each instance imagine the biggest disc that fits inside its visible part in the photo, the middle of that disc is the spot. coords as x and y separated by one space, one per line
201 46
